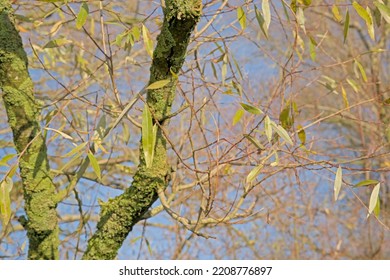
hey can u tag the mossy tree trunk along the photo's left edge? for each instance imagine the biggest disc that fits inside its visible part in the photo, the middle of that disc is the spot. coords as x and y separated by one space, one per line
23 113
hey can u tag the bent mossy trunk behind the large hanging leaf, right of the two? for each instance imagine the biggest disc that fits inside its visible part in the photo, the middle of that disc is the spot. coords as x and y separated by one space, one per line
119 215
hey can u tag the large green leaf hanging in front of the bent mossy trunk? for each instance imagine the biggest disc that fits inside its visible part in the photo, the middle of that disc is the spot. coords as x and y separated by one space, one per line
148 136
